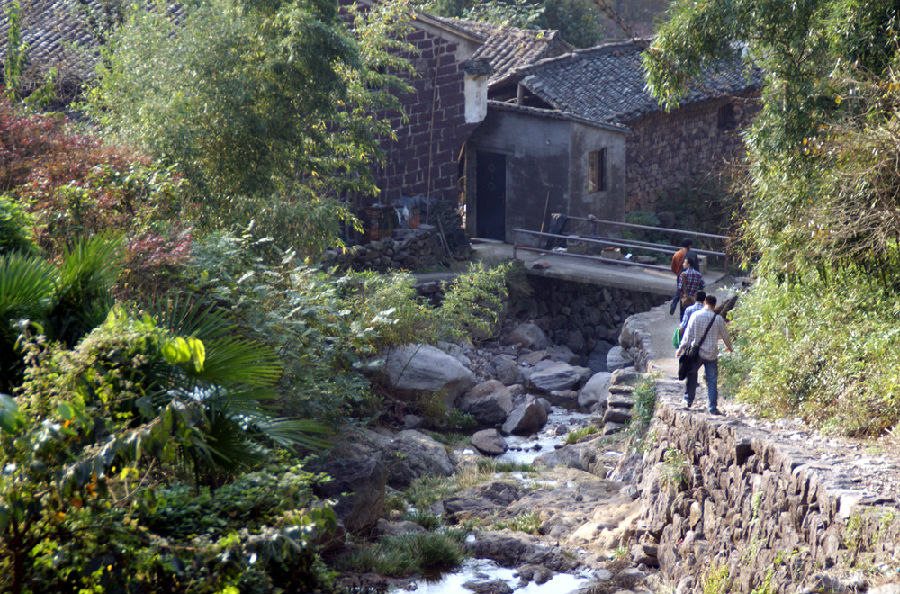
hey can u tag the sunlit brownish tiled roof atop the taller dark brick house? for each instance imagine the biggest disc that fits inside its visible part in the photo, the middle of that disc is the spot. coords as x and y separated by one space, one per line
508 48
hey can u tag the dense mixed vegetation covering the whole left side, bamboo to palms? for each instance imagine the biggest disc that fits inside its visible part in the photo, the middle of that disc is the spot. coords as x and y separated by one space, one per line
163 385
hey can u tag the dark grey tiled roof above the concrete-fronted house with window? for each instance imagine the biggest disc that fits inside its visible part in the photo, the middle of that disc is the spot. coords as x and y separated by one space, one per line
606 84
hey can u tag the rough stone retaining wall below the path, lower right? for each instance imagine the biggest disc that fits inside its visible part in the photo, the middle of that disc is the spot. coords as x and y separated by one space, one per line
721 495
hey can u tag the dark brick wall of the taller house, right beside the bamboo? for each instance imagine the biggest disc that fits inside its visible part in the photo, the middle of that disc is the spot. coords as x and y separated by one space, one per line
431 139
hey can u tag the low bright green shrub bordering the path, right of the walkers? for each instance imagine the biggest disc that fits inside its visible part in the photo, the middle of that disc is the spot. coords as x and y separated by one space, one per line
824 349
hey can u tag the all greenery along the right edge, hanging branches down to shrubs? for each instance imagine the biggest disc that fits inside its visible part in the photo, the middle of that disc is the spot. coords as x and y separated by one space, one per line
818 333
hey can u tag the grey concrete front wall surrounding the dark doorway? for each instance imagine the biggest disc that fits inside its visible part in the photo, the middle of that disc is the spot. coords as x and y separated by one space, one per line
537 157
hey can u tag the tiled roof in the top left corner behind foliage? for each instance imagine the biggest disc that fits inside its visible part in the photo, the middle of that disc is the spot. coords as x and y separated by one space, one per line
56 34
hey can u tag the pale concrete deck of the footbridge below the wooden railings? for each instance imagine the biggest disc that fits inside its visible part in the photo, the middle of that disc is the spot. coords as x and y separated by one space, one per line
634 278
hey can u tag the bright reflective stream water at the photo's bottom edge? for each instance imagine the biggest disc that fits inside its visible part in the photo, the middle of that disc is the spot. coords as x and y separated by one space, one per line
482 570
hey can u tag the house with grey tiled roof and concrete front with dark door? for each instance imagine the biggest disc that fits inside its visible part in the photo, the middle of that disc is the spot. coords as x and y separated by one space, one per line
579 134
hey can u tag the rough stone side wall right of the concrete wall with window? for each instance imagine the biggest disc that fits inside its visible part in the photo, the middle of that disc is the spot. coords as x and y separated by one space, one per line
667 150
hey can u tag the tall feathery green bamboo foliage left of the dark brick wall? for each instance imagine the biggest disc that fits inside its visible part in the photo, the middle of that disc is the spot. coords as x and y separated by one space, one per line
271 109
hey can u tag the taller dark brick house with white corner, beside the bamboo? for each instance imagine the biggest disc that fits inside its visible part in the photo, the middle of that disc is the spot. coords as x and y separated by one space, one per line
456 61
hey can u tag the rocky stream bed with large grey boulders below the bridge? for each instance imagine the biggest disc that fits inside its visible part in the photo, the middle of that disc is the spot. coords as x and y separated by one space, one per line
539 515
